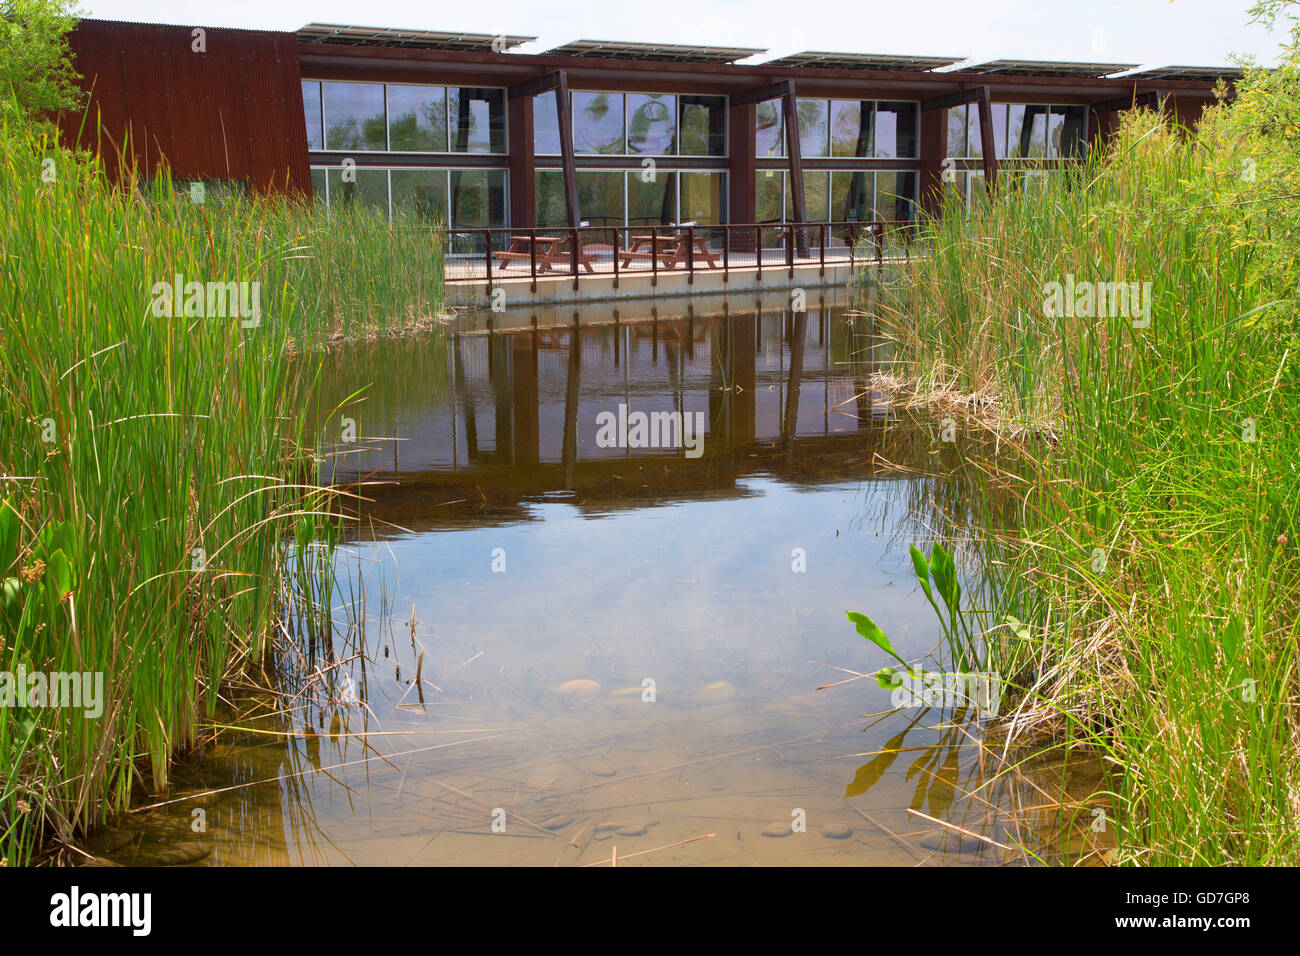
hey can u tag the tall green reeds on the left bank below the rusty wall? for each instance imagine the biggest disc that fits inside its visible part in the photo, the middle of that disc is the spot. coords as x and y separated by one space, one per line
150 468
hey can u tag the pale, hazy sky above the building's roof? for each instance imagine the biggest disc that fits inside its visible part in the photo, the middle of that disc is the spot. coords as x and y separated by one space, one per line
1147 33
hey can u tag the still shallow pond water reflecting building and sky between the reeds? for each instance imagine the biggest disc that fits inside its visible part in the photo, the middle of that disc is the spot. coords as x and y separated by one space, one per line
551 651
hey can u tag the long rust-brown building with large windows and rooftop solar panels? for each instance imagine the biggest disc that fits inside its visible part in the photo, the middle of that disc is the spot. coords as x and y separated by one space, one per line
461 129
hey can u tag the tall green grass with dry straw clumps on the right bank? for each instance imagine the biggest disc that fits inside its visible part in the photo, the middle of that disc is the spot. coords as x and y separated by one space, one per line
1155 551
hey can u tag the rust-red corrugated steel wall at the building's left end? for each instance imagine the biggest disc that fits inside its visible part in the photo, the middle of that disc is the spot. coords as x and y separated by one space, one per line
232 113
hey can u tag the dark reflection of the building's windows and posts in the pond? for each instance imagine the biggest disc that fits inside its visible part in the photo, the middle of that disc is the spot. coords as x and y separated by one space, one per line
534 397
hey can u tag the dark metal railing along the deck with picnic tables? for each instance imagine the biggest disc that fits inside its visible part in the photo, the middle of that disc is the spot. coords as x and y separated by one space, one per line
577 252
